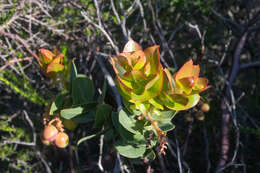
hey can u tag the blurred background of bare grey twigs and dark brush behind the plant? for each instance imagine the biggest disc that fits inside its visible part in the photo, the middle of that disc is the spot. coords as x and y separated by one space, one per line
222 36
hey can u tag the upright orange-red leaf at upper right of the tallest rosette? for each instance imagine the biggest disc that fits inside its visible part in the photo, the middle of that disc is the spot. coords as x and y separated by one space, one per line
153 56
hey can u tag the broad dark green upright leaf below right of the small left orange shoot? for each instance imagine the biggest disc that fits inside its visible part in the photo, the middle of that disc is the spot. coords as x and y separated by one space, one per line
82 90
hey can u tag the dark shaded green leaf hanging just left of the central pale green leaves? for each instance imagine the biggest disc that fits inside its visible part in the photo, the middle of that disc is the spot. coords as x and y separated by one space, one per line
102 115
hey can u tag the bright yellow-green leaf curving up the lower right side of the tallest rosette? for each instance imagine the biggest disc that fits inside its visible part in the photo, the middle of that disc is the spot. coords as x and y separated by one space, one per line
152 89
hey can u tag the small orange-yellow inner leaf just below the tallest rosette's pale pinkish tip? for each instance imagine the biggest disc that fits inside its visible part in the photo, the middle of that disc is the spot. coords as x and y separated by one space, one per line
138 60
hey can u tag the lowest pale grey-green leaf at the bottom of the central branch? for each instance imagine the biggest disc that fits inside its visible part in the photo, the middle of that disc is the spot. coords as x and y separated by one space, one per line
130 150
